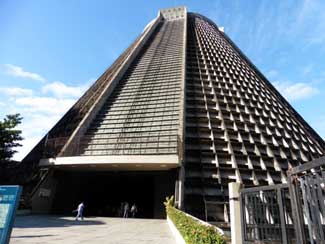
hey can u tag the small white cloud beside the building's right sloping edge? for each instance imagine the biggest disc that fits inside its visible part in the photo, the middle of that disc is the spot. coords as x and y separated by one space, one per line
295 91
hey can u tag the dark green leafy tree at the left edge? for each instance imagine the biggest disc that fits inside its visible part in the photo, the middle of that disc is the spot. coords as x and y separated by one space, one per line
9 136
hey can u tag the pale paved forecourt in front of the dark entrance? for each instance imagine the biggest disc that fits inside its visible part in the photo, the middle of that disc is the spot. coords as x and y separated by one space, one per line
54 229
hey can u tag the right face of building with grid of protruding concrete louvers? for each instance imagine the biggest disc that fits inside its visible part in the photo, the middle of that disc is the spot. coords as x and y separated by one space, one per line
238 127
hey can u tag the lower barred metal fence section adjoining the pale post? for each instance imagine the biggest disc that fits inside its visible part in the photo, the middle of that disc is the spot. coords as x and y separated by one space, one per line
266 215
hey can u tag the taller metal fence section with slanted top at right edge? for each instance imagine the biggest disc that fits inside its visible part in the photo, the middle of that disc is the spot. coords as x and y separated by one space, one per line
307 190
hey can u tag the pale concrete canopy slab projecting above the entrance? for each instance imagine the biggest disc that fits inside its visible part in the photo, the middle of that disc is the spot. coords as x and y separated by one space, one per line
129 162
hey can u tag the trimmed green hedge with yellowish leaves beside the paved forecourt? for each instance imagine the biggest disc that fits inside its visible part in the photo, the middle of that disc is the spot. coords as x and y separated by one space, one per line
192 230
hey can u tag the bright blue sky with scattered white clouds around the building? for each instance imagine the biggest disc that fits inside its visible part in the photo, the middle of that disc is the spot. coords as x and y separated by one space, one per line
51 51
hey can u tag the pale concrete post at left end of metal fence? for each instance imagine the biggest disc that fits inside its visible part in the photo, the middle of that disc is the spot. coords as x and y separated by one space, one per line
235 218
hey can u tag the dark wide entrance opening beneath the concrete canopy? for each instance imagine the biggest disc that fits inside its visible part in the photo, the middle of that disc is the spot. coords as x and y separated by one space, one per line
103 192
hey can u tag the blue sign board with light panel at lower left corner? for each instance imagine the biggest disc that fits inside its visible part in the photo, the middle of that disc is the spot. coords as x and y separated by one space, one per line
9 199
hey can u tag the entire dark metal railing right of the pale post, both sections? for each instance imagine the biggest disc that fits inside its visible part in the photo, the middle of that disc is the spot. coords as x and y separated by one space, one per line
287 213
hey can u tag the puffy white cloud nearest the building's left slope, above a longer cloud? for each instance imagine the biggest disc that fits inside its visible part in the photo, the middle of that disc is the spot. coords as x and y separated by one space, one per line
59 89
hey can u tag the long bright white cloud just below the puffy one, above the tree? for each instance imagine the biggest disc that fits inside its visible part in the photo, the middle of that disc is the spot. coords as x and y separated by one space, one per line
48 105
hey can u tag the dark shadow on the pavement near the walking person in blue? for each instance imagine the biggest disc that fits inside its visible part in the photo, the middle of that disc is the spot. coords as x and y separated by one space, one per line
46 221
